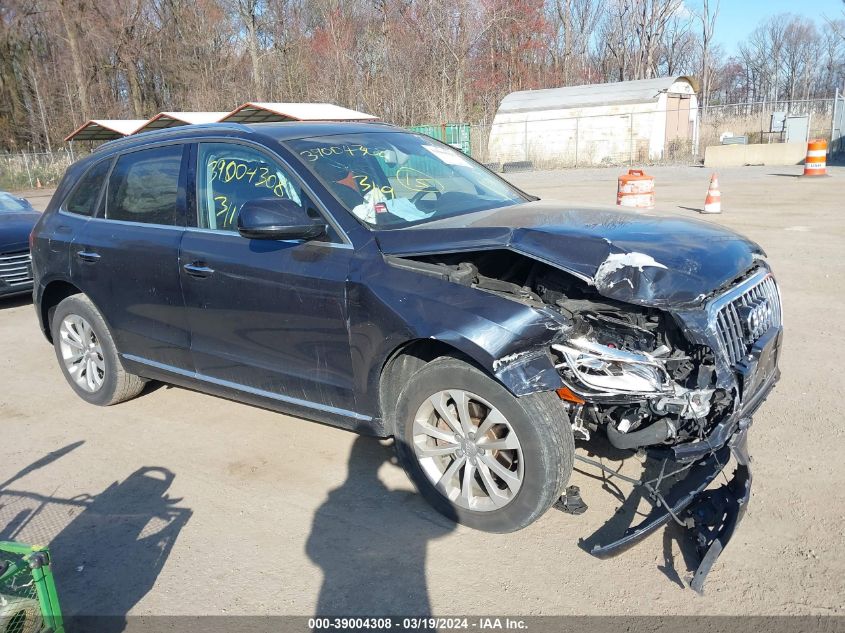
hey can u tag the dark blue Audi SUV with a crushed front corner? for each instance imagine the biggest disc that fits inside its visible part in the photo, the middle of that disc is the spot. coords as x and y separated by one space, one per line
375 279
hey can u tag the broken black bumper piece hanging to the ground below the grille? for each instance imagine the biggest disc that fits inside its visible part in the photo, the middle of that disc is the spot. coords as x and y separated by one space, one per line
709 517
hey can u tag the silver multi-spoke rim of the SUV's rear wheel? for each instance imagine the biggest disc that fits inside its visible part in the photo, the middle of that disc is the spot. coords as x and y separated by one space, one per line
82 353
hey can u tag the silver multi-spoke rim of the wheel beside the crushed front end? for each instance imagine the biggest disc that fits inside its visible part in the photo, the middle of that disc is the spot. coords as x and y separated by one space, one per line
468 450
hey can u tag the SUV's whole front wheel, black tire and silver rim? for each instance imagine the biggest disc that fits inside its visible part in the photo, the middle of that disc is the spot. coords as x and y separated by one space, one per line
477 453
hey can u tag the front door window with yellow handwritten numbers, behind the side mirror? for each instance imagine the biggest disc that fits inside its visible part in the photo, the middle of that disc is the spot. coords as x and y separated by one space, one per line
229 175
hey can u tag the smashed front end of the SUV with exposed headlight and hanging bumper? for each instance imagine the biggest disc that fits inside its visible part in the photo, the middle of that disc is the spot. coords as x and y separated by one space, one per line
677 384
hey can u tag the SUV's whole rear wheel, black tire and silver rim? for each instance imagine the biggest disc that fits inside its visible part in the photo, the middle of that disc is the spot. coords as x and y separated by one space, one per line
87 354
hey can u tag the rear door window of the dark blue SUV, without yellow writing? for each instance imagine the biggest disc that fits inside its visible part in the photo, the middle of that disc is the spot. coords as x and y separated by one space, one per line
144 186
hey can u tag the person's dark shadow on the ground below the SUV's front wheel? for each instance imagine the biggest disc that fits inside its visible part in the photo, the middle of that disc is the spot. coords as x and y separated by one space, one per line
370 542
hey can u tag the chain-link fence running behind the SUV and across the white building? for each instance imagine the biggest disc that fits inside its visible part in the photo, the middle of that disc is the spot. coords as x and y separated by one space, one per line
619 138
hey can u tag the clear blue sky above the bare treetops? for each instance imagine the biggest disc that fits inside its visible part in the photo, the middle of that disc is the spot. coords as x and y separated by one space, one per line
737 18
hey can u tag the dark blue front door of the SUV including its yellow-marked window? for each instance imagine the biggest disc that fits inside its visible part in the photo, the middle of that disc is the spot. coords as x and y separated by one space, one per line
265 316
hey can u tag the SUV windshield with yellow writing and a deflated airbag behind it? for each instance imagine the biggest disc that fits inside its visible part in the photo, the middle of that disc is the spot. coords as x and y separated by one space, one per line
397 179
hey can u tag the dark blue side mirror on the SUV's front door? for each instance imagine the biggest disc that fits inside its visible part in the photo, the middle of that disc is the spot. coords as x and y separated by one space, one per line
277 219
